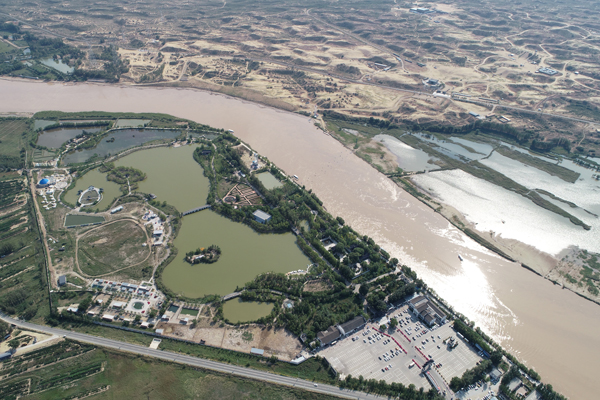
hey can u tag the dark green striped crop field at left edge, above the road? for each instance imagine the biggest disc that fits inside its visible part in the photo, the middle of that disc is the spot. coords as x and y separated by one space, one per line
22 267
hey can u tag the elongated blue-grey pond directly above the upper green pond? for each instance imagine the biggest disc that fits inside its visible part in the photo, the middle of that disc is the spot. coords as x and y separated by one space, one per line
123 139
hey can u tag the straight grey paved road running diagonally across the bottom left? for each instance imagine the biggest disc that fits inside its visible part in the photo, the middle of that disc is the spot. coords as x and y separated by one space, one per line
195 361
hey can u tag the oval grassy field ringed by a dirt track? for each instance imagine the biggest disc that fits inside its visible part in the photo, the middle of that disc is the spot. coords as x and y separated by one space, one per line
111 247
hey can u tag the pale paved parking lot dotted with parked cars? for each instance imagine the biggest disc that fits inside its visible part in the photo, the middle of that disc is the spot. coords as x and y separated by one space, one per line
361 356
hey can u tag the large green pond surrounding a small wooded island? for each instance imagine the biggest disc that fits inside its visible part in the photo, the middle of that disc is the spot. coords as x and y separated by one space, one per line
245 254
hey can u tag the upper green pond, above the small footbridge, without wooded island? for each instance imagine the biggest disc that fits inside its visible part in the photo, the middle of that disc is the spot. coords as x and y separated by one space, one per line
172 175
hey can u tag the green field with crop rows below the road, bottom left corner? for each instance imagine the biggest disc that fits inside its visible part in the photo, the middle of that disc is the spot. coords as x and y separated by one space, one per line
81 370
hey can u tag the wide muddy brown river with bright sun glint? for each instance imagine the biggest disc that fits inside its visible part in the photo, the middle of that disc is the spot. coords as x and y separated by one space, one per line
552 330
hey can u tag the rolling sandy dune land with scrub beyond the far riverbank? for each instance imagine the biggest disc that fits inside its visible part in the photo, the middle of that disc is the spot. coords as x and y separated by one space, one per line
335 56
